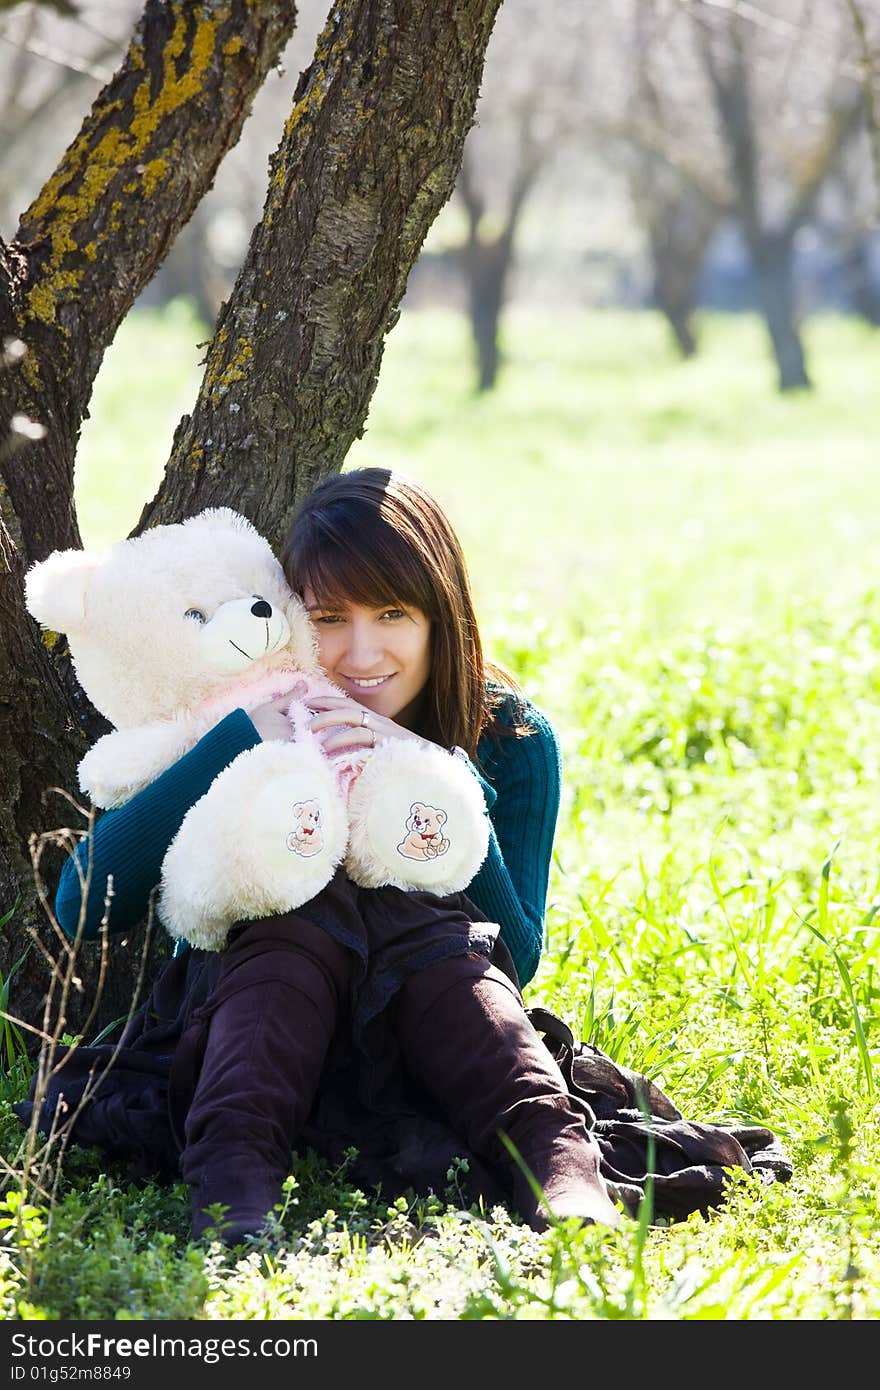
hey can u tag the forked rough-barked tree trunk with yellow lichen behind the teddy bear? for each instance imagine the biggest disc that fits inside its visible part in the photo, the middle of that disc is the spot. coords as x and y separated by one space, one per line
368 159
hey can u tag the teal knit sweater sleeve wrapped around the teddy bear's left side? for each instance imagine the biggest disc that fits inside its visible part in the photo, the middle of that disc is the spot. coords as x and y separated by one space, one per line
130 844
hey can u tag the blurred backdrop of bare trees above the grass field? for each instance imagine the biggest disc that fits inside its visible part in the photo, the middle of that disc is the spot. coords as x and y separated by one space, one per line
601 167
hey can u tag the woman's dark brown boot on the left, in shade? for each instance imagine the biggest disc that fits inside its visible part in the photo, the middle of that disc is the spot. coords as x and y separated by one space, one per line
255 1057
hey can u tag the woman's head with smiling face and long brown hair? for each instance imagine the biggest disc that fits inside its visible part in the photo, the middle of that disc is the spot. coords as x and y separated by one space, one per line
382 569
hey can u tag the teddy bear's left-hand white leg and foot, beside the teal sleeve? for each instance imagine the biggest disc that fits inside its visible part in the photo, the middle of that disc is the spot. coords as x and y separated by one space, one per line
266 839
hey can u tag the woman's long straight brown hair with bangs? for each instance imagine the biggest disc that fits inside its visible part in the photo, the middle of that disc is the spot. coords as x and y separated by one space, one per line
377 539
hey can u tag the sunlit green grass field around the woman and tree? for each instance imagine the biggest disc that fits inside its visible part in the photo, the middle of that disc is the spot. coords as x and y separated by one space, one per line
679 565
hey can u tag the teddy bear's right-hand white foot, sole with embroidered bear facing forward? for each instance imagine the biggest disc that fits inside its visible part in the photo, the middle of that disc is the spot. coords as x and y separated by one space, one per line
416 821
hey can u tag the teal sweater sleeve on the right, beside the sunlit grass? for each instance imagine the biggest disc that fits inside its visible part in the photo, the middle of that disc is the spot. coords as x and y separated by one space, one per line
512 883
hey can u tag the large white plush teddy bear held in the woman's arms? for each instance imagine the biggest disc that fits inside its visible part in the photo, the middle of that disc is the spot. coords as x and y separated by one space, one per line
177 628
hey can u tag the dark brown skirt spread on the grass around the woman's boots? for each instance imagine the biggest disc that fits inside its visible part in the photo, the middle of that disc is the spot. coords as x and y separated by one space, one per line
368 1113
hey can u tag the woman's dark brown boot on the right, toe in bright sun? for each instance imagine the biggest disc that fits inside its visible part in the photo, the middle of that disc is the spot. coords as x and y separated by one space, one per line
465 1036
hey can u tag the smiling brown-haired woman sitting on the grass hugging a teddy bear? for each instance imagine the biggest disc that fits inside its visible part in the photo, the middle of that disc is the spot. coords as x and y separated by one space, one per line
373 1020
